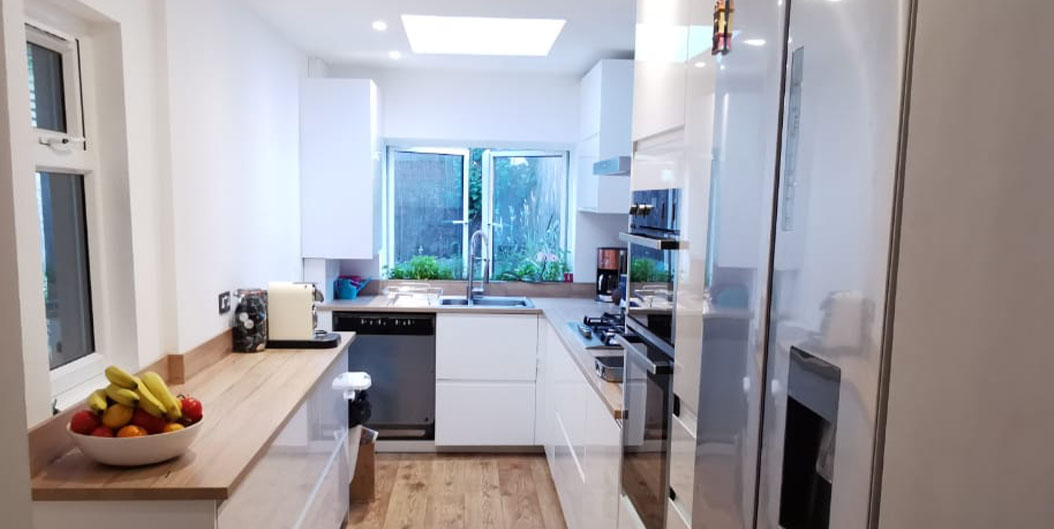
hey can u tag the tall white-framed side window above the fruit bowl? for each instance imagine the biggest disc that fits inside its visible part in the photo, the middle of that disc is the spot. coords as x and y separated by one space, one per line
65 166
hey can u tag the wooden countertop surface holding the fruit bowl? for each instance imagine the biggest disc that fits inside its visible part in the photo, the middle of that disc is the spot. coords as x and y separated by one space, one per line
248 400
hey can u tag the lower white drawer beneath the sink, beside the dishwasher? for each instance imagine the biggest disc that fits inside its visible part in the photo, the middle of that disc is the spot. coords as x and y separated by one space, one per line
472 414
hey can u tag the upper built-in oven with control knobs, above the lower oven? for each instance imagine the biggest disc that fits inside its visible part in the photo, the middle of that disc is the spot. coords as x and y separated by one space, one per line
653 243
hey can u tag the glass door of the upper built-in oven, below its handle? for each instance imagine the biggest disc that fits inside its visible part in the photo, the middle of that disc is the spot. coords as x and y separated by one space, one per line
651 300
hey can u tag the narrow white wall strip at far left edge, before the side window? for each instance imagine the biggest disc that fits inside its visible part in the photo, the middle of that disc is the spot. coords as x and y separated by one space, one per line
15 502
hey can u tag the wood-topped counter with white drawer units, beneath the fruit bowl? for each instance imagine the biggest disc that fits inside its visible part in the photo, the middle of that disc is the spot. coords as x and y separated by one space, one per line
272 453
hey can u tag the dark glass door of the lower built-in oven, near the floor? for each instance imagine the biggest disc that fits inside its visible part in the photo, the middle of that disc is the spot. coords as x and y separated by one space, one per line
648 398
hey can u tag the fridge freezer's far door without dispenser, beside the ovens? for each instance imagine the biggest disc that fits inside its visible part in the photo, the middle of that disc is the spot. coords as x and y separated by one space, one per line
723 300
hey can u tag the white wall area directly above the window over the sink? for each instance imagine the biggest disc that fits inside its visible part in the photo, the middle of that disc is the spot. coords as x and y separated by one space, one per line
483 109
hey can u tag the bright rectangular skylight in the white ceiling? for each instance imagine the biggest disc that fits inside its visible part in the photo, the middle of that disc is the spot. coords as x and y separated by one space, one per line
526 37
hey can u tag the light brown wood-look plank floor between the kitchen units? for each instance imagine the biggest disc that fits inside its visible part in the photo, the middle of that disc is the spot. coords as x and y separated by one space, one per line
470 492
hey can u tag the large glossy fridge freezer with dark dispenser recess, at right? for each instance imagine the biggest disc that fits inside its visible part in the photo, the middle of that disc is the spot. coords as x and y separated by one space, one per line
895 371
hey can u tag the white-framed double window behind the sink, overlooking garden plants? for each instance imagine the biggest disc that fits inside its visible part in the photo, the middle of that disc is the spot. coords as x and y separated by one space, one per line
437 199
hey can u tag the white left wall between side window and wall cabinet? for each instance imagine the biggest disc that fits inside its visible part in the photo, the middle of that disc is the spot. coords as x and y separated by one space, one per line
235 106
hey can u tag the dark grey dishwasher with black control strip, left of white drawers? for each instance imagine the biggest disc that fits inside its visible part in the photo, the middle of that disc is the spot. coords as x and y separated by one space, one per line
398 350
